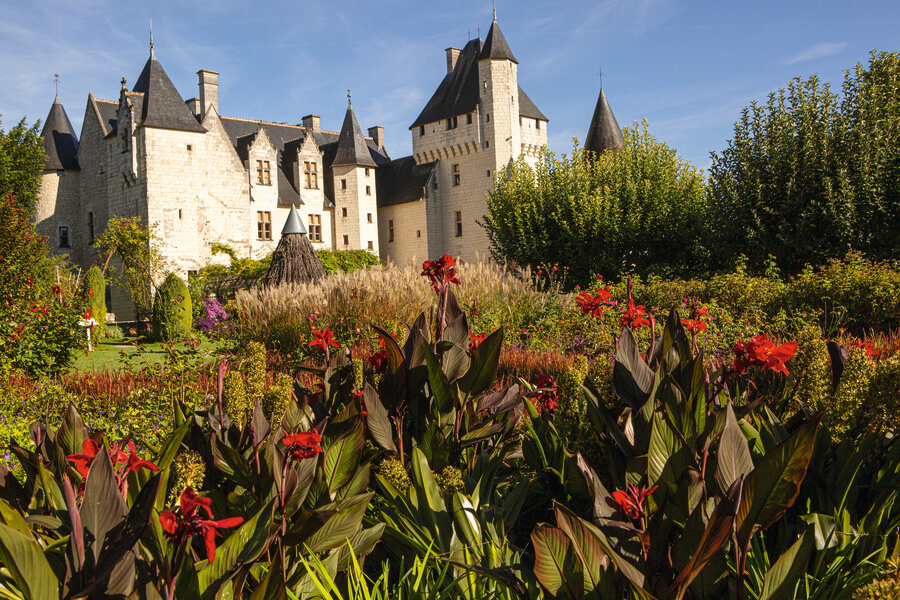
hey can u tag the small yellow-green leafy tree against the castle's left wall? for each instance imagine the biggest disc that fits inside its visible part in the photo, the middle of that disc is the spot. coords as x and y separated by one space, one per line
135 246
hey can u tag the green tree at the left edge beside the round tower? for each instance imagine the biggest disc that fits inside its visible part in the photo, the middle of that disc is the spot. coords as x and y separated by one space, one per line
21 162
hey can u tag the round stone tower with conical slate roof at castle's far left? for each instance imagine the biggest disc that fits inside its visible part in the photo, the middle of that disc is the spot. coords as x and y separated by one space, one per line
57 210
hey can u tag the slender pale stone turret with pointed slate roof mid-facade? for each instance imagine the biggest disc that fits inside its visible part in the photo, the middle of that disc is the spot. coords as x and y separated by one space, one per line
353 170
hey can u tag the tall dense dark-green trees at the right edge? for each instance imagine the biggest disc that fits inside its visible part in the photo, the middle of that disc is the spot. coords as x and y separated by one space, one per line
807 176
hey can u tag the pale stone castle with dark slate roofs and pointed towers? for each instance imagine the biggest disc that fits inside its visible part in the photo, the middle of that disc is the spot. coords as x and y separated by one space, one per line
200 178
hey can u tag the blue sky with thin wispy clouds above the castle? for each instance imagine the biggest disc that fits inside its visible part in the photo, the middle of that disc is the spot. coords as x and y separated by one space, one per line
687 67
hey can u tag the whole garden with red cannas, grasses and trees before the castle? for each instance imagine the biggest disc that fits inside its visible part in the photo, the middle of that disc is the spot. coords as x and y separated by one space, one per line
670 420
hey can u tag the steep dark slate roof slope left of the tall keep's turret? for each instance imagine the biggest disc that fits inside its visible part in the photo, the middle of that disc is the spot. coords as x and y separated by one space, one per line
458 92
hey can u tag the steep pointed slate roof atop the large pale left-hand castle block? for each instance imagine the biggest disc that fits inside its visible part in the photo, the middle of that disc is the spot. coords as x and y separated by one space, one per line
163 106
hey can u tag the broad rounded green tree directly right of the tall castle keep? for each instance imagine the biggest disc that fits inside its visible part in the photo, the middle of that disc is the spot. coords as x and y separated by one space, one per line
640 209
